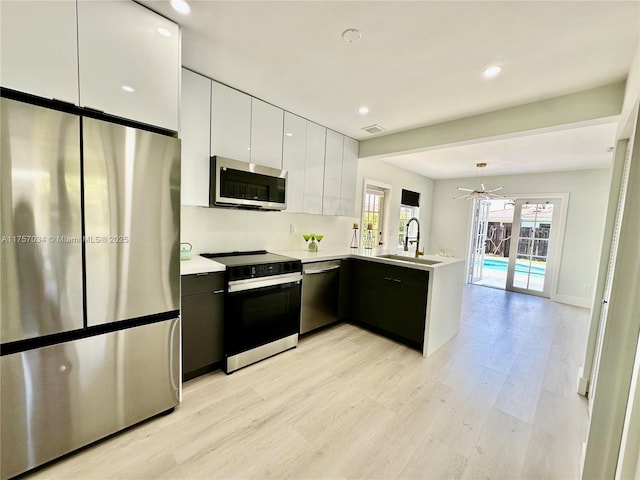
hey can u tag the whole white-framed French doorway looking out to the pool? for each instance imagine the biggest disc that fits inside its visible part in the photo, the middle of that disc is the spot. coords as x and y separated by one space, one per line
514 243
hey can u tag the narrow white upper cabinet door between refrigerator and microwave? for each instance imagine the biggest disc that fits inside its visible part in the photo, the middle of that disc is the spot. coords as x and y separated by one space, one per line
194 125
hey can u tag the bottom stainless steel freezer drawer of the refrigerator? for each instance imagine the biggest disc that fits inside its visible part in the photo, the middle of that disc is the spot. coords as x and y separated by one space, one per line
59 398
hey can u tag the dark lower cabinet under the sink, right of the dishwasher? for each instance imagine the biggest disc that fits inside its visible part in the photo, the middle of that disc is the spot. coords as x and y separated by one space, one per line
390 300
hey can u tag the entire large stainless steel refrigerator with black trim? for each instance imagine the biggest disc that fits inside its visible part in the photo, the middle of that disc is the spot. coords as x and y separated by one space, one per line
89 278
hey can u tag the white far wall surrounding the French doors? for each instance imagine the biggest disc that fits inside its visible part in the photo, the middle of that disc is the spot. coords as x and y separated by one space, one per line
588 194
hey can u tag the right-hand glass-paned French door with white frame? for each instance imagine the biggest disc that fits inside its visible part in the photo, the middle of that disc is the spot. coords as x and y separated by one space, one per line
531 255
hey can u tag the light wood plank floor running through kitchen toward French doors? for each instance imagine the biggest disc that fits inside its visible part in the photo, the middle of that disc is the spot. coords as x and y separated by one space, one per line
498 401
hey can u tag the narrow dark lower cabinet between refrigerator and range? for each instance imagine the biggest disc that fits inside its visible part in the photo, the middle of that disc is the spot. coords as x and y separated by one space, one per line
202 323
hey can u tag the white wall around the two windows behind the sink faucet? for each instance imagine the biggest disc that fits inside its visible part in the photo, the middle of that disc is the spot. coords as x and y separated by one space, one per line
397 179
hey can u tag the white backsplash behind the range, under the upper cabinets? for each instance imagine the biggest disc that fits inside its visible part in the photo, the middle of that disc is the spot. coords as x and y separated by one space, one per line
225 230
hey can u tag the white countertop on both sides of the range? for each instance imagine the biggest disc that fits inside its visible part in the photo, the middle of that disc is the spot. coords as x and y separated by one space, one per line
199 264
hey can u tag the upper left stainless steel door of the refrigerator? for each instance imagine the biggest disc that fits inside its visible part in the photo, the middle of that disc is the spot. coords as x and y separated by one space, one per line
40 233
